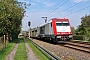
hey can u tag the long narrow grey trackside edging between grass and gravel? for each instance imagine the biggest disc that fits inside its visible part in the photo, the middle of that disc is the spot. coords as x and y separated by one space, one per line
52 56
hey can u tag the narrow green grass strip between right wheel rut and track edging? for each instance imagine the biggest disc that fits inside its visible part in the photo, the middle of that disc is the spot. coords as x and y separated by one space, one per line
39 54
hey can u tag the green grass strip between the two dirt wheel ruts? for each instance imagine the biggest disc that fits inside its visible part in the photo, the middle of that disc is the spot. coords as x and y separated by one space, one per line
21 51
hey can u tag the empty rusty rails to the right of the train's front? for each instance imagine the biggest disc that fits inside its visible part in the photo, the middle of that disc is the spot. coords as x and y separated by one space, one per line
78 46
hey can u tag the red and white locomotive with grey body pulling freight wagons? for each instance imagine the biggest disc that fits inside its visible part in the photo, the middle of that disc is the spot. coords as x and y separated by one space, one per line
55 30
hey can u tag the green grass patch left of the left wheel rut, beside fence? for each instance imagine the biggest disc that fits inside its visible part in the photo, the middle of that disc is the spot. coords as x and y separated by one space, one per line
4 52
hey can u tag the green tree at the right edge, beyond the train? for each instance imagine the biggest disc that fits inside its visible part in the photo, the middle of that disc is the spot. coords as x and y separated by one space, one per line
84 28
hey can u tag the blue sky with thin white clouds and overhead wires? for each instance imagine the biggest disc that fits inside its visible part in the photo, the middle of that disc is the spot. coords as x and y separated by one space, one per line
74 10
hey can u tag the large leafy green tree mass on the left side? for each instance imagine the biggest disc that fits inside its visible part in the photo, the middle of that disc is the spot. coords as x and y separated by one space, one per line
11 14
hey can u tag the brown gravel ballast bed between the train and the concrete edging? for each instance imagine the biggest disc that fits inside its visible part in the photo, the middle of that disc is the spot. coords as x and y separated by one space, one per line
63 52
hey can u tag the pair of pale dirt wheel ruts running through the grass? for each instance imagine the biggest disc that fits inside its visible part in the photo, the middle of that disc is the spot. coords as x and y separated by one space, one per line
30 54
